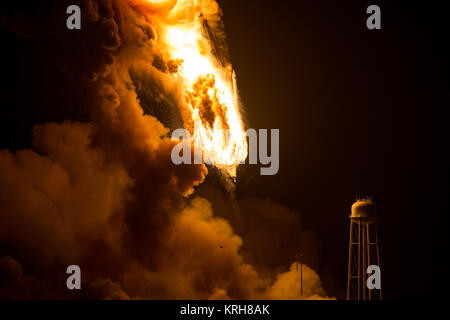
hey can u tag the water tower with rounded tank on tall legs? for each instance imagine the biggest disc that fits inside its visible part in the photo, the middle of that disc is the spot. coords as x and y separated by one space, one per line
363 250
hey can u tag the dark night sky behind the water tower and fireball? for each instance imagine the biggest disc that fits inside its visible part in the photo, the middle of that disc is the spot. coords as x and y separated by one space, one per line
355 112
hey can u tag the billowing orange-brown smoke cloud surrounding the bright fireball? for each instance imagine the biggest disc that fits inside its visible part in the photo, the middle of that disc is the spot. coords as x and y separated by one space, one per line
103 193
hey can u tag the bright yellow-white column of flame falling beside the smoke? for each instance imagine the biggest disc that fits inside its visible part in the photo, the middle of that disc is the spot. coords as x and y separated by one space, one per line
209 86
